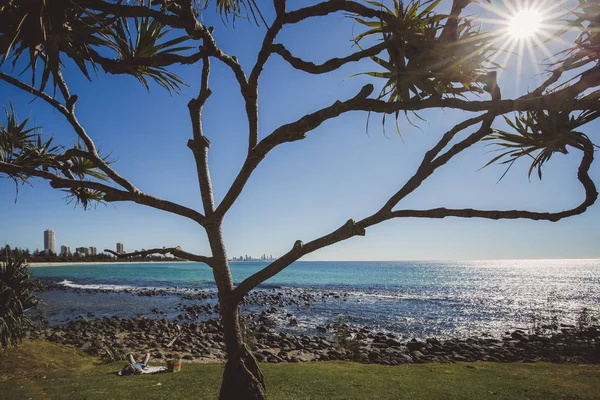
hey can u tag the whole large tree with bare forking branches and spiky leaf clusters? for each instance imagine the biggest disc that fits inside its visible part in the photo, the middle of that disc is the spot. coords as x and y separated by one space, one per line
422 59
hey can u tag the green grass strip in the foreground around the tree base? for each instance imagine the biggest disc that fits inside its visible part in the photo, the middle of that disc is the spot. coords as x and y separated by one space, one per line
63 373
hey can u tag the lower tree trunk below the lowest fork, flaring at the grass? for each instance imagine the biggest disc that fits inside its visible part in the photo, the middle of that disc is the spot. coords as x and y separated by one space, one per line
242 379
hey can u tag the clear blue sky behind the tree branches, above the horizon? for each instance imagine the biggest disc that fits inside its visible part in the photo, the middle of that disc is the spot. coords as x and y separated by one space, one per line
304 189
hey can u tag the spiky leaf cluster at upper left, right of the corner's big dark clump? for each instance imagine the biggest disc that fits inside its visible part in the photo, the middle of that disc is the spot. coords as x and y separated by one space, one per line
144 43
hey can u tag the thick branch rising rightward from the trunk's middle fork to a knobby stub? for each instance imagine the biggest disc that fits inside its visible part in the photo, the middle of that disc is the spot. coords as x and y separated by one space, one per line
287 133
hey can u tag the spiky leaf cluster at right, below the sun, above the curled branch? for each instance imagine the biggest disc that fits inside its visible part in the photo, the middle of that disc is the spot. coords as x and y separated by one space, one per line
539 135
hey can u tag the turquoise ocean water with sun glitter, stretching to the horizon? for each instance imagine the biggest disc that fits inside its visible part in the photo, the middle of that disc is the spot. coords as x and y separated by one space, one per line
411 298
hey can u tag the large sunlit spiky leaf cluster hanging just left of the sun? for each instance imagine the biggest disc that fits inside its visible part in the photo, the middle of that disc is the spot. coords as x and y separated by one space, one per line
420 62
